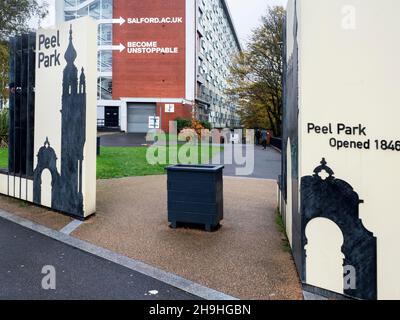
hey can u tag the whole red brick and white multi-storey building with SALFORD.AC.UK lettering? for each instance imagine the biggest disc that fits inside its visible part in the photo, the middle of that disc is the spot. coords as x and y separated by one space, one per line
167 59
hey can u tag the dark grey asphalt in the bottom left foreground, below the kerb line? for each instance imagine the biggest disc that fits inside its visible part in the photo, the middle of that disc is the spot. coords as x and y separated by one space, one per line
79 275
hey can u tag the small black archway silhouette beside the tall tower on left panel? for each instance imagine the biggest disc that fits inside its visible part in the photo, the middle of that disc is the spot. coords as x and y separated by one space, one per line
47 159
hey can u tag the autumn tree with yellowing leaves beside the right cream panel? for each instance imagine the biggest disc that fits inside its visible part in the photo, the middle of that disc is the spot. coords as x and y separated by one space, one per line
255 81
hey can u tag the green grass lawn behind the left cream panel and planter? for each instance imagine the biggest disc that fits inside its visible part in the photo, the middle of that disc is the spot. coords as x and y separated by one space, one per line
118 162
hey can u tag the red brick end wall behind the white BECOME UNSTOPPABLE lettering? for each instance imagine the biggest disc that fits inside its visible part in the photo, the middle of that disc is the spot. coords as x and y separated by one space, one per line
149 75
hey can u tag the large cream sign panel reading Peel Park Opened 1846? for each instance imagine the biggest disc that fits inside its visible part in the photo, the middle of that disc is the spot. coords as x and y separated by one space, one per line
343 145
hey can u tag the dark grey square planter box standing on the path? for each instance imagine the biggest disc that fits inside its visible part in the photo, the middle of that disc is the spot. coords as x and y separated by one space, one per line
195 195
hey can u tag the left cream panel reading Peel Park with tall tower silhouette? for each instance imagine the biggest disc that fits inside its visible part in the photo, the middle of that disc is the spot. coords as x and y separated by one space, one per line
65 117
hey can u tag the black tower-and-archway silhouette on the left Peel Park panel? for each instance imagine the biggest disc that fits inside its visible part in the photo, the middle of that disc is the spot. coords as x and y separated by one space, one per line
67 194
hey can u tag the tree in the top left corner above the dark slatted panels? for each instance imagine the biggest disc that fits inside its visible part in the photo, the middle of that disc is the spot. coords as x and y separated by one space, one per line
14 19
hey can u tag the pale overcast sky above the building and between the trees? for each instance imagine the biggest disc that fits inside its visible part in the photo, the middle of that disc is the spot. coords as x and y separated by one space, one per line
246 14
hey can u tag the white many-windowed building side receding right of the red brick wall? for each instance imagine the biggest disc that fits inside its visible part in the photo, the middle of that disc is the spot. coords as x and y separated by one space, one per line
217 43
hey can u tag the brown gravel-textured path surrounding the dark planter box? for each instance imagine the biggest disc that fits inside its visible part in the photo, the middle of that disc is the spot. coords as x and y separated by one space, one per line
245 258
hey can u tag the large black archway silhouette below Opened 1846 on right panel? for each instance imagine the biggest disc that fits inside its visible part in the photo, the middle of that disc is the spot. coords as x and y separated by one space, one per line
324 196
